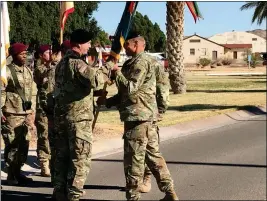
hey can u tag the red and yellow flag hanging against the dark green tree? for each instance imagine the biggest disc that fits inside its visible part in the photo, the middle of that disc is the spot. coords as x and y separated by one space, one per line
66 8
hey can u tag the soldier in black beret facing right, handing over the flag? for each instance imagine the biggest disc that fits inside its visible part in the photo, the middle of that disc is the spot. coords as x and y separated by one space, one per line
75 81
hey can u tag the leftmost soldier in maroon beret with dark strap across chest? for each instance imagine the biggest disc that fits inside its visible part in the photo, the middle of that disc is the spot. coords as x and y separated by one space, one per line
16 108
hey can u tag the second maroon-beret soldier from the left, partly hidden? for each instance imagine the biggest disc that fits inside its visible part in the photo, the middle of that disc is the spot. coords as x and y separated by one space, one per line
41 78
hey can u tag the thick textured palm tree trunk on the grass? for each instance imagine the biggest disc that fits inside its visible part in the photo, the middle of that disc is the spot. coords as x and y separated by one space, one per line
175 33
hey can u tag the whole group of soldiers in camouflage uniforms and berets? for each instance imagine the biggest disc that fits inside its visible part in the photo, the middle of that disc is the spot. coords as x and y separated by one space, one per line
64 115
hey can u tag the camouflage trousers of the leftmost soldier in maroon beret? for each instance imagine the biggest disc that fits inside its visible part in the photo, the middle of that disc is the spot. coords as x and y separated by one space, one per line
16 136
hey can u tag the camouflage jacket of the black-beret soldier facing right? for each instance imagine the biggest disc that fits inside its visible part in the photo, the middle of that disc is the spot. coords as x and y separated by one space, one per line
74 84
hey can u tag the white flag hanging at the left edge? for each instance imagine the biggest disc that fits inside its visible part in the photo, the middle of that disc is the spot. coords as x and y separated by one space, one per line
5 44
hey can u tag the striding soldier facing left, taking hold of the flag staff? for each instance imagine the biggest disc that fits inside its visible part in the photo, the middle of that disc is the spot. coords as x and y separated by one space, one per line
136 83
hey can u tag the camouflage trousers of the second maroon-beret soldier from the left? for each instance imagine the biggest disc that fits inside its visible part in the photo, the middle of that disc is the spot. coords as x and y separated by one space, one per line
43 148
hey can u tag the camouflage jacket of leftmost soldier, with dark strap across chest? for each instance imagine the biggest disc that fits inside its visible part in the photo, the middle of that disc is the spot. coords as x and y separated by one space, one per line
10 99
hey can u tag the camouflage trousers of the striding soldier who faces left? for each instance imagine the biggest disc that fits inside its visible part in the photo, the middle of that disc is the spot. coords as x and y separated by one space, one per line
141 146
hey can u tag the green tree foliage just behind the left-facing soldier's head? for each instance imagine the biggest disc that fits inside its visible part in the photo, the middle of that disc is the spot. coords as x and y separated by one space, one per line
155 38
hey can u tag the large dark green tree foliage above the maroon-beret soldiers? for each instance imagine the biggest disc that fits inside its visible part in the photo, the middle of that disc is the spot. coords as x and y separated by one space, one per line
37 22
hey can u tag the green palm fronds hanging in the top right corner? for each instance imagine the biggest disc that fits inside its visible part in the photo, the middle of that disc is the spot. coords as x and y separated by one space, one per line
260 13
